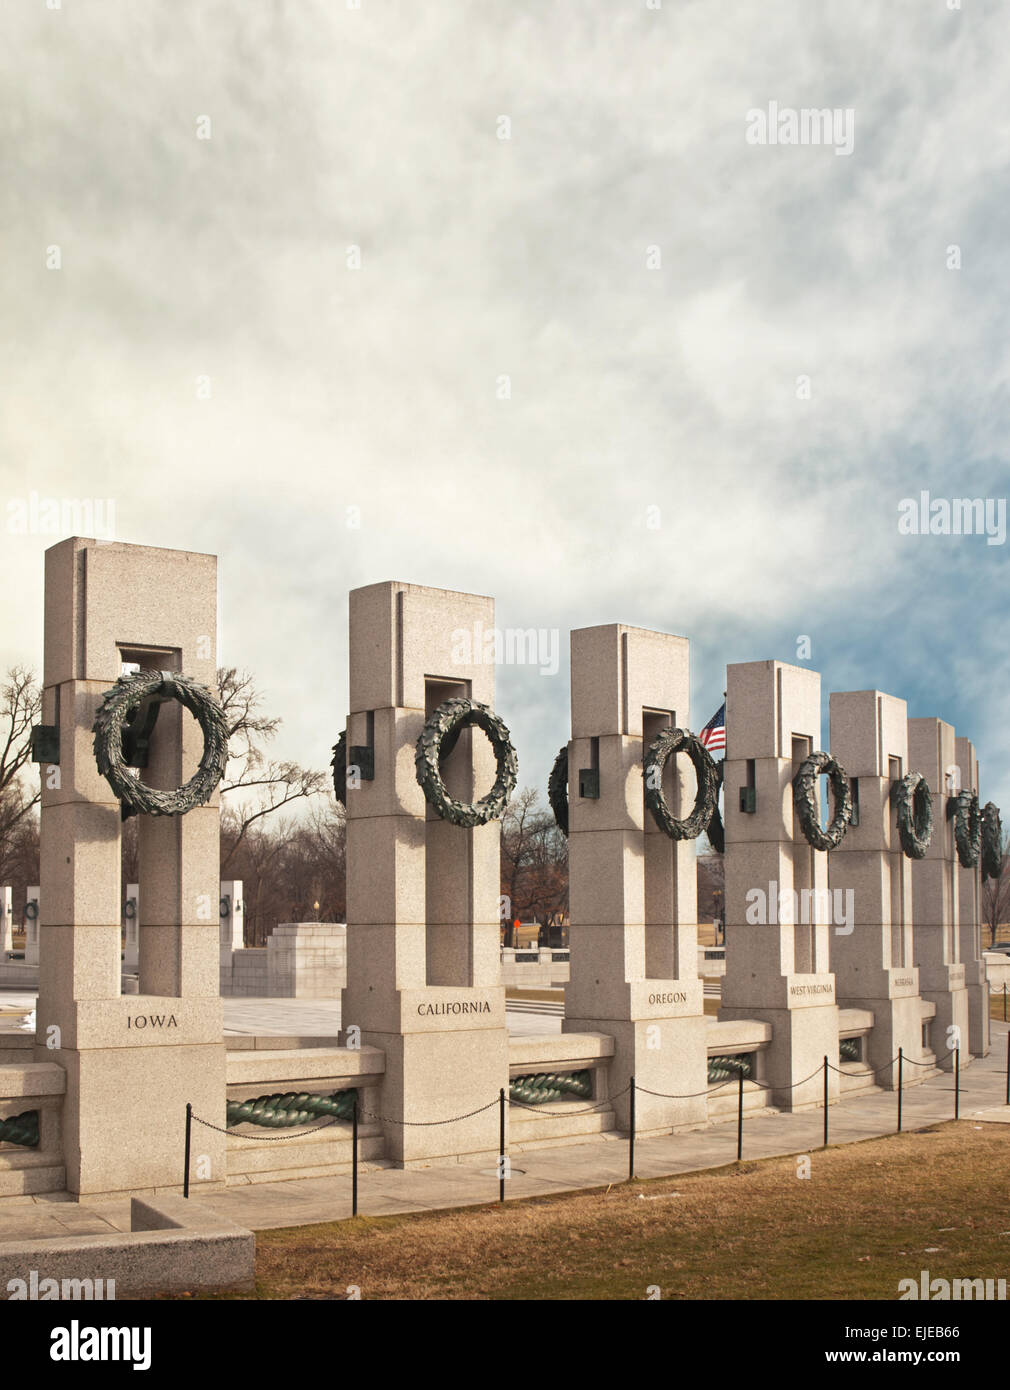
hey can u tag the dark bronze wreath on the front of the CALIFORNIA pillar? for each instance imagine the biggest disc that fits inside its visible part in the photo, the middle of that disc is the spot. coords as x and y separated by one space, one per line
445 726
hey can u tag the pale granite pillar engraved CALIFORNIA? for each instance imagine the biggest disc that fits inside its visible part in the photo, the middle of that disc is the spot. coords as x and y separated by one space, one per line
424 974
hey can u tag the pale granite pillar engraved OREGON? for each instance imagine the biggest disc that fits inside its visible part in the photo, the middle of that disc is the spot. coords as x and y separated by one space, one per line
633 890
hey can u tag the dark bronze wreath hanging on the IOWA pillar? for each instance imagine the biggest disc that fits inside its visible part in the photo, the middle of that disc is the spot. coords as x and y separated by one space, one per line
110 721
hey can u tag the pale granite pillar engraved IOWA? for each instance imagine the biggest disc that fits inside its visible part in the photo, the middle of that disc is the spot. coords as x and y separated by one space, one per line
133 1063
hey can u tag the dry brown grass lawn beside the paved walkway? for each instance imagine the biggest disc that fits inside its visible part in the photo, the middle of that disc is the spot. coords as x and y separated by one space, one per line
869 1216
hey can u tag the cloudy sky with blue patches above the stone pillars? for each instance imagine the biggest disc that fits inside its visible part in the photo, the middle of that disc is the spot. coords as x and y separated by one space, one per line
727 362
